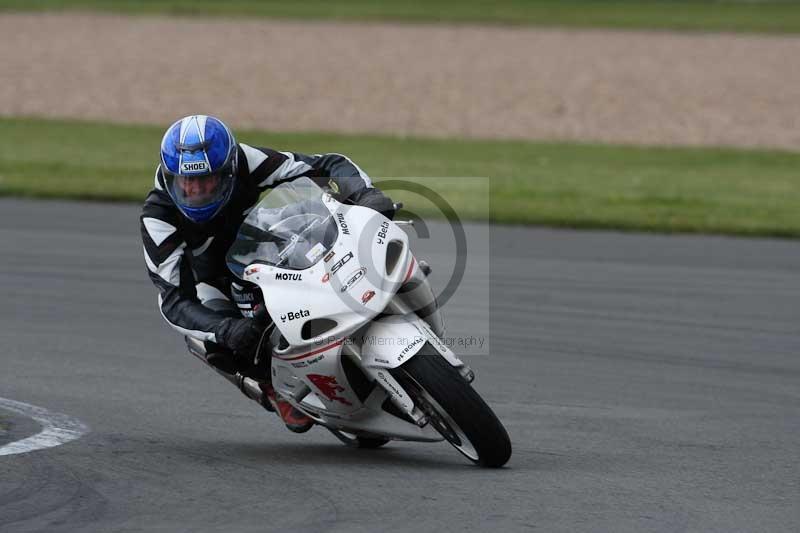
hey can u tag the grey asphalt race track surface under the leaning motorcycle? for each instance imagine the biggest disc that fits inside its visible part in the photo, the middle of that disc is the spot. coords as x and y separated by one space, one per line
649 383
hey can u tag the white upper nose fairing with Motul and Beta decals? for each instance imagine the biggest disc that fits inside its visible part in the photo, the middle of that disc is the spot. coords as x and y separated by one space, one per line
353 283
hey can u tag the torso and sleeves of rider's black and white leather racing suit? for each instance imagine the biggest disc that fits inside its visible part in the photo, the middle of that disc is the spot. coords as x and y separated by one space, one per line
186 261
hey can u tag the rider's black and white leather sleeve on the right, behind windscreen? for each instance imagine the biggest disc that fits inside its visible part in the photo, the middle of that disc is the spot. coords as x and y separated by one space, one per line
350 183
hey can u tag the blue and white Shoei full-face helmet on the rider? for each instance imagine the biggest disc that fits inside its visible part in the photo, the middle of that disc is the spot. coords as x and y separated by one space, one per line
198 162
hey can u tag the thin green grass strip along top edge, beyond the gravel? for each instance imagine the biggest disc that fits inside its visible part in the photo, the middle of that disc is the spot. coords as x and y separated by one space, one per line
773 16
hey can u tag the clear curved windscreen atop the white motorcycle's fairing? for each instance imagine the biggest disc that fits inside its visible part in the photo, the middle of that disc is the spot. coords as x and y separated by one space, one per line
290 228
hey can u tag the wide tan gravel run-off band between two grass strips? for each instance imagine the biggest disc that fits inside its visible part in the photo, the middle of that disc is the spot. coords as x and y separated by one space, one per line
441 81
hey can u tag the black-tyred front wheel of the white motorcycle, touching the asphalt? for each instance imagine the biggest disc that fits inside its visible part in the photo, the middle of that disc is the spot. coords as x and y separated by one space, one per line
455 409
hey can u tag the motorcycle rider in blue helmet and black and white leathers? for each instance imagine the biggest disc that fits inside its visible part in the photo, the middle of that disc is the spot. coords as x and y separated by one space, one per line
205 185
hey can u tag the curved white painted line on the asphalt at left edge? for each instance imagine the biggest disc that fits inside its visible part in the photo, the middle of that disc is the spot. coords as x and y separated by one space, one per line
57 428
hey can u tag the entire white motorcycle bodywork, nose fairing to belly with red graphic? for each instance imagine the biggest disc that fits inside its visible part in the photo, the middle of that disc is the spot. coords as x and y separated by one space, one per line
329 334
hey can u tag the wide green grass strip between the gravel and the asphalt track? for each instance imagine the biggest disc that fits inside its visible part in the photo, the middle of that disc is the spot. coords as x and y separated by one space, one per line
727 191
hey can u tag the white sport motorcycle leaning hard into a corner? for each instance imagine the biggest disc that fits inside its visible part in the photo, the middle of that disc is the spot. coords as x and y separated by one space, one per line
357 343
